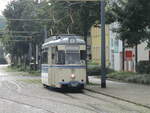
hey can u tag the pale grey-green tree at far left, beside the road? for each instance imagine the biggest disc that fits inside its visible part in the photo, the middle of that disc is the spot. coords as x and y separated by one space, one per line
21 9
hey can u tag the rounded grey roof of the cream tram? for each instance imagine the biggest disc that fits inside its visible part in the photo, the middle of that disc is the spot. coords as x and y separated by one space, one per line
63 40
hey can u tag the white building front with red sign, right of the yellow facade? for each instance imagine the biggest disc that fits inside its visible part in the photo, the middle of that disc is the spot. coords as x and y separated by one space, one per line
116 52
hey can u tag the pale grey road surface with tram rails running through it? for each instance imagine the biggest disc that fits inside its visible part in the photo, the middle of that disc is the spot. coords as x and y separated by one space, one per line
25 94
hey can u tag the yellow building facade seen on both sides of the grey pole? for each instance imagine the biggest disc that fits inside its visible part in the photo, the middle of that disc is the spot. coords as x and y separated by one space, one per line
96 44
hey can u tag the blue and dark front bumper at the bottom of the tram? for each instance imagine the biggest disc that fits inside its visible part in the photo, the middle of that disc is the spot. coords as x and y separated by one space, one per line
72 84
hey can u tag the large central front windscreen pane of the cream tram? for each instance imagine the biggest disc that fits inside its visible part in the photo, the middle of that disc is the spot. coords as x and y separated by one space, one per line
72 58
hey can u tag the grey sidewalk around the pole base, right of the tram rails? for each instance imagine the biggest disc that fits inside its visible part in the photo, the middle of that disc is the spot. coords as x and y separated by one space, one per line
135 93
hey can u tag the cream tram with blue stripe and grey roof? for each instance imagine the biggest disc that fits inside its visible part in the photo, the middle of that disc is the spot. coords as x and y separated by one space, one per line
63 62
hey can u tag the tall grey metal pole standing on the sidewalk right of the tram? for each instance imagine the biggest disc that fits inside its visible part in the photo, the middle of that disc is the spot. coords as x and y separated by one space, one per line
103 59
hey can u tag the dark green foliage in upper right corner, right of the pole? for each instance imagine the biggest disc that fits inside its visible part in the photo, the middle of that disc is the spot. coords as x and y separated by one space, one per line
133 18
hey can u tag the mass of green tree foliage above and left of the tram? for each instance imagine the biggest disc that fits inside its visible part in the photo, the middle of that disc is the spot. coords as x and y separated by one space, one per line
60 17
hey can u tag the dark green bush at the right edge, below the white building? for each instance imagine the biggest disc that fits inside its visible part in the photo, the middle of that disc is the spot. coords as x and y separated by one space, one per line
143 67
